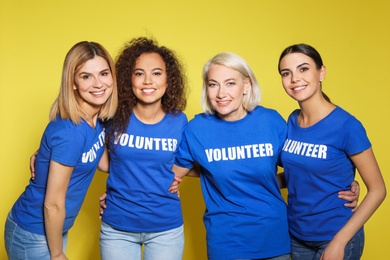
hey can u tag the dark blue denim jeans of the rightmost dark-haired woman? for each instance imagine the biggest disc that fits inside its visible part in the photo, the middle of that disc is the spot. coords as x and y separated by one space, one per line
309 250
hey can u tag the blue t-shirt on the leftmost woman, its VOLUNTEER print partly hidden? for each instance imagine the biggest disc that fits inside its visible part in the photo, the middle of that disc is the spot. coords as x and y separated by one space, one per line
79 146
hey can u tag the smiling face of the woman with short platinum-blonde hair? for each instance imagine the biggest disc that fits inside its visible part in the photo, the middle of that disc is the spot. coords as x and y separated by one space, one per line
225 90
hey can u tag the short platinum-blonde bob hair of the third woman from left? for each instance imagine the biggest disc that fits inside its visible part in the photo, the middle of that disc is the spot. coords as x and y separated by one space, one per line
235 62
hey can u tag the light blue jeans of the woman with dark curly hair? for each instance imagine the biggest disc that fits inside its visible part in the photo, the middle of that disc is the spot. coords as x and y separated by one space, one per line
122 245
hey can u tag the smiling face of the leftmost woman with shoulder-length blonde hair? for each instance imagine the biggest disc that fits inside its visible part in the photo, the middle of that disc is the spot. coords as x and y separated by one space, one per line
94 82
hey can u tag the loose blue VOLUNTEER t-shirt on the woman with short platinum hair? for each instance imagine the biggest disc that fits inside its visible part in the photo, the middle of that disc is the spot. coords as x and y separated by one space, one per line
246 216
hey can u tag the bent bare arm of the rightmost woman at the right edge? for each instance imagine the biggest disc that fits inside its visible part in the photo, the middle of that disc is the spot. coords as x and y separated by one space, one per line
376 192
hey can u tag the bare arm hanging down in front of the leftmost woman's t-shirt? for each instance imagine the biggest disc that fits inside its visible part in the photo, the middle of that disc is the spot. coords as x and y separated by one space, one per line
54 207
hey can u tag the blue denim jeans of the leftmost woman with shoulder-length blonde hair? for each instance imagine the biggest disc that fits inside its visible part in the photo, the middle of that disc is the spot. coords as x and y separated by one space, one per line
21 244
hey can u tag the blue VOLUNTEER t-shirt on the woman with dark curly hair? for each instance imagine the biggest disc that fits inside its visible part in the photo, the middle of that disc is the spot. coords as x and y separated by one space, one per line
141 161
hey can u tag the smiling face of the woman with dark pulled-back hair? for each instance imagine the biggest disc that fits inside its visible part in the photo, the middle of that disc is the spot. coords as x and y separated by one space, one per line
301 78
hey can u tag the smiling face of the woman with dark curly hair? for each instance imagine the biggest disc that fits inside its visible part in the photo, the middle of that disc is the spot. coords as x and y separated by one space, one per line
149 78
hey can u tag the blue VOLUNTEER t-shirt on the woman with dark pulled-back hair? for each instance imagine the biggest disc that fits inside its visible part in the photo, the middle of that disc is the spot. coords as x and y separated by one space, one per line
317 166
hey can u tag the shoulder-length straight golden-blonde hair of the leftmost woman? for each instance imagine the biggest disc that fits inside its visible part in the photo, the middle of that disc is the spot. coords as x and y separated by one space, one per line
67 104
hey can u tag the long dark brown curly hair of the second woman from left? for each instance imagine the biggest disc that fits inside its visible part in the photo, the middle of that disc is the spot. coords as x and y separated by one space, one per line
174 98
